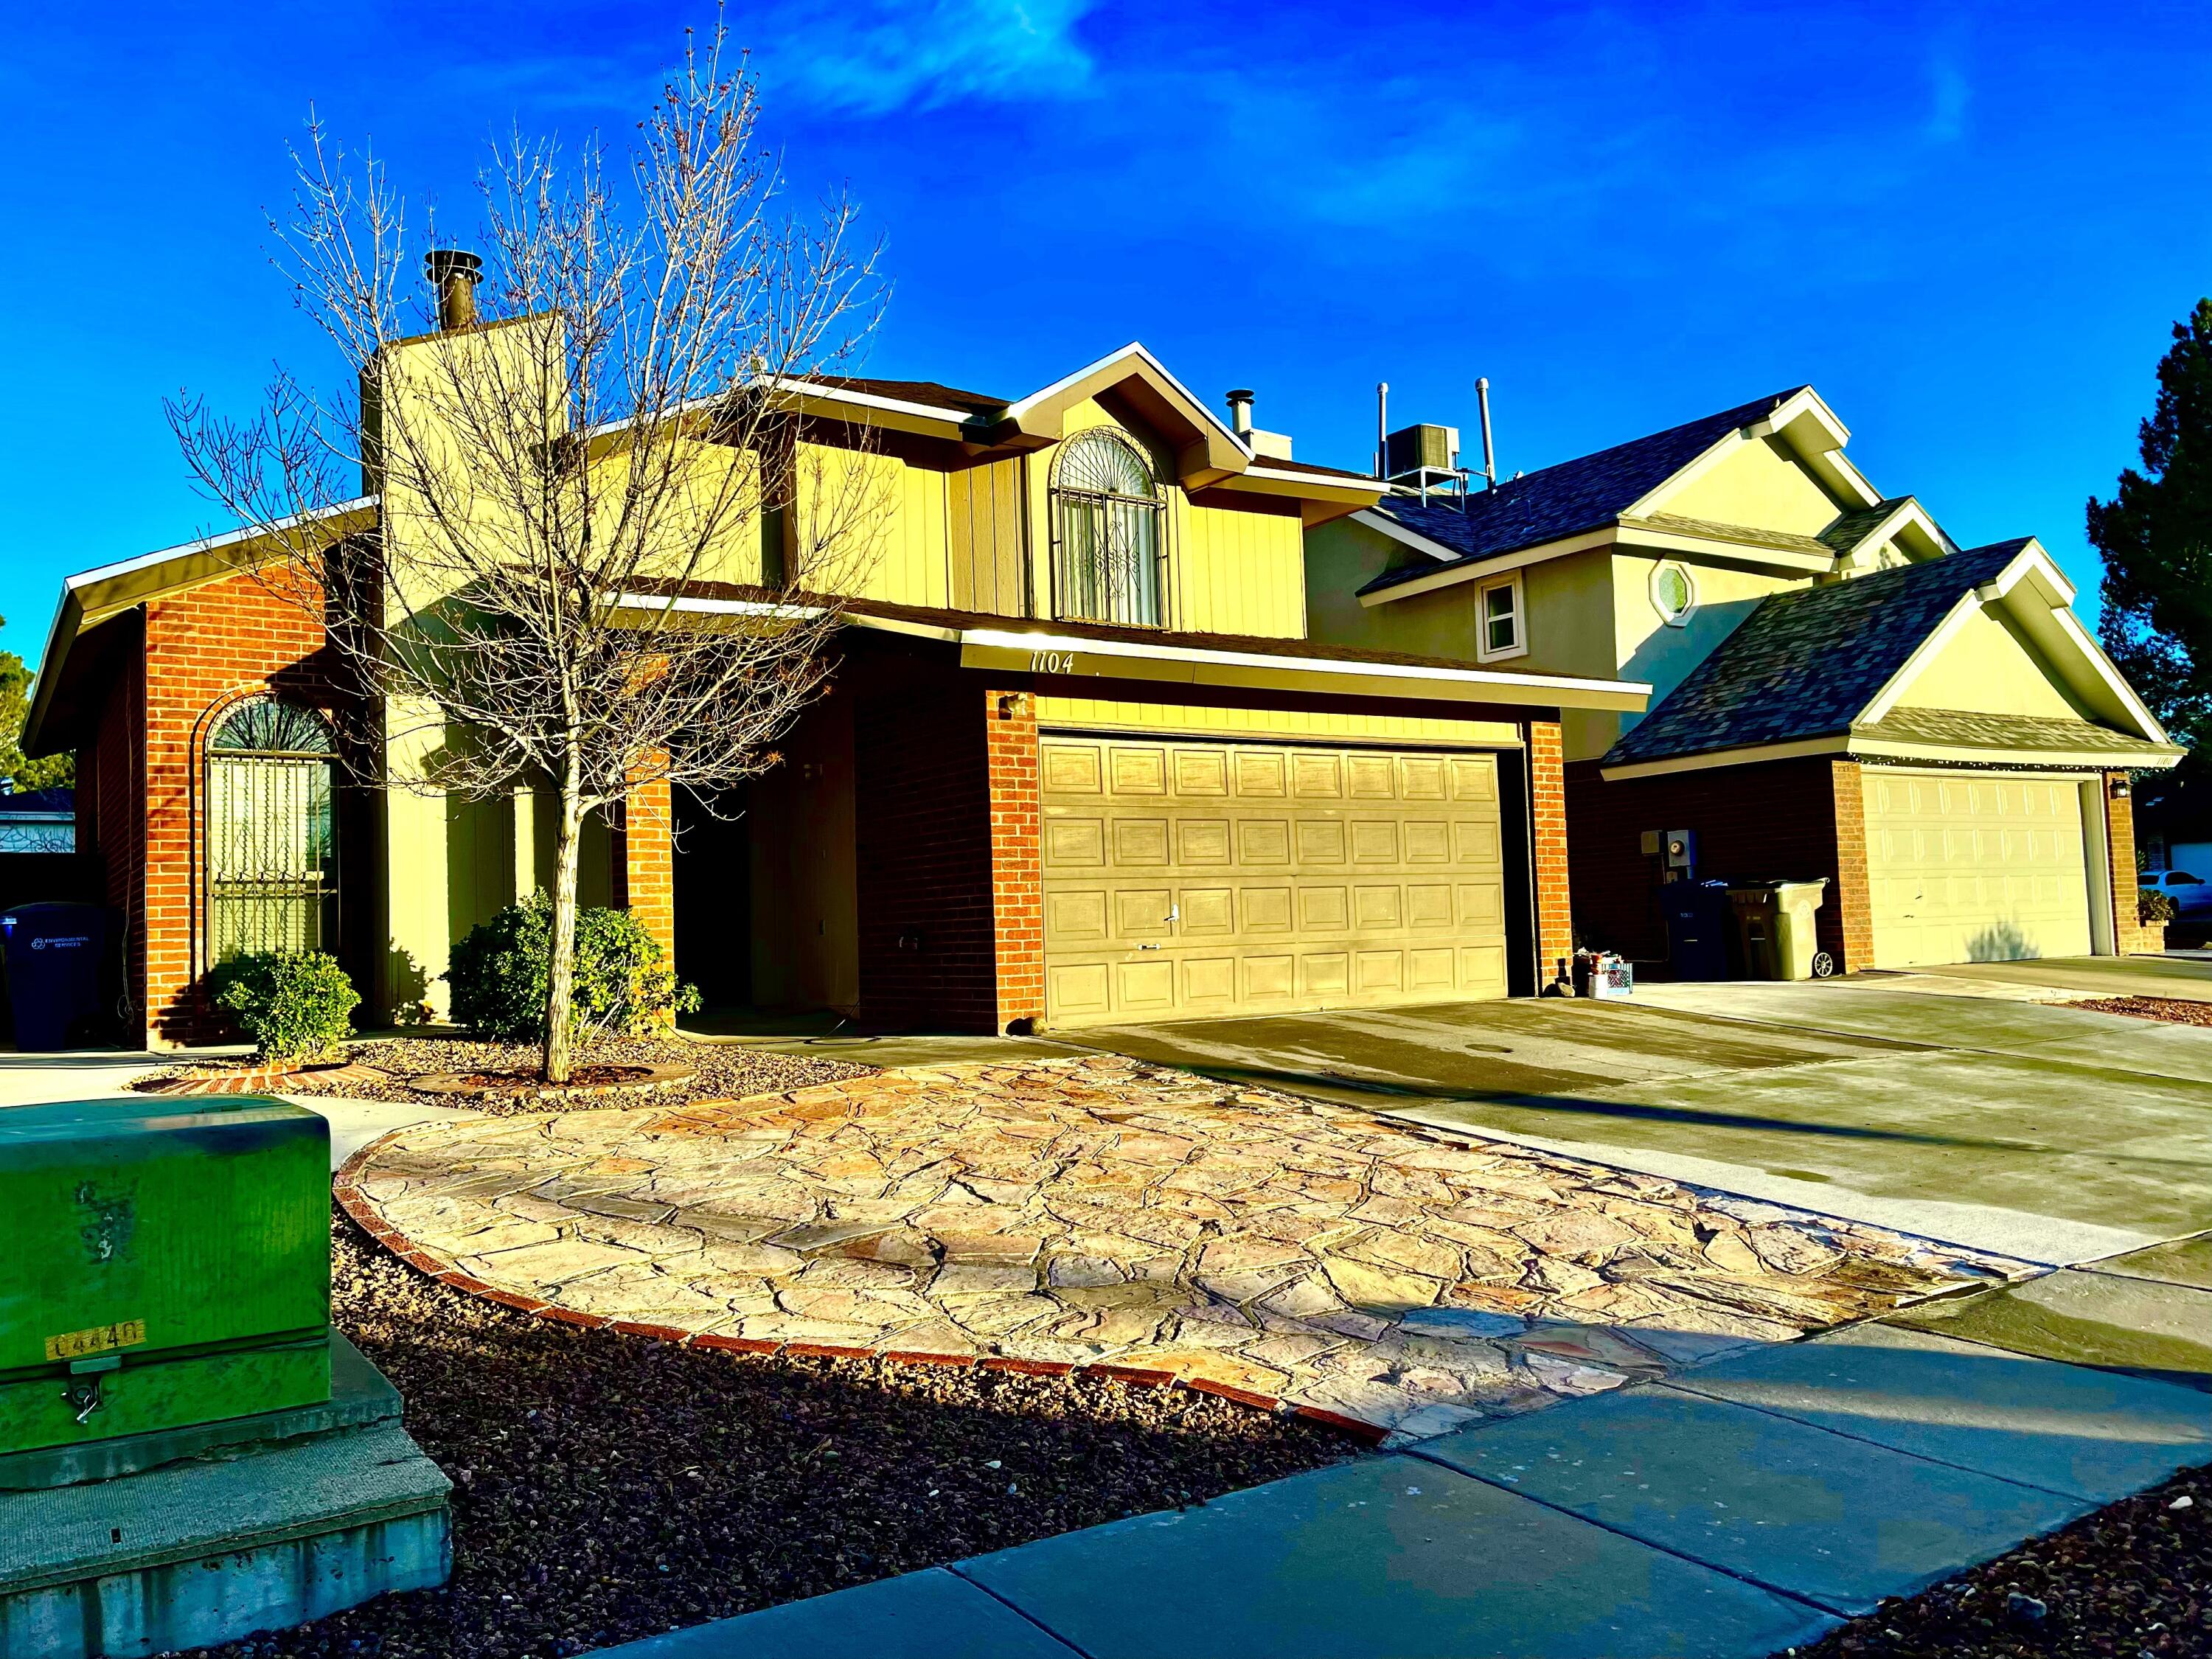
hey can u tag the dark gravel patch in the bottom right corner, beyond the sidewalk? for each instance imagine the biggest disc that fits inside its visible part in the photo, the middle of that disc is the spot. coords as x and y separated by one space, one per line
2131 1580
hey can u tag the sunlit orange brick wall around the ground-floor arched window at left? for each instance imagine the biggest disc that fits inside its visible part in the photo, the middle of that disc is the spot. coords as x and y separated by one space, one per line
205 651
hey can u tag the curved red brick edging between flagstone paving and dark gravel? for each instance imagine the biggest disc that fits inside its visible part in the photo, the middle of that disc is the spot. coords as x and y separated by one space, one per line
435 1266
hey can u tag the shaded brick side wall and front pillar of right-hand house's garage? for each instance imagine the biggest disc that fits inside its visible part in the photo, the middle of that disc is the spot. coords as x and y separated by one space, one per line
1795 820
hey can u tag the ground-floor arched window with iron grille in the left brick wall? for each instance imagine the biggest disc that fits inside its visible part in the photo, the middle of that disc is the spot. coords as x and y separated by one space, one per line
273 855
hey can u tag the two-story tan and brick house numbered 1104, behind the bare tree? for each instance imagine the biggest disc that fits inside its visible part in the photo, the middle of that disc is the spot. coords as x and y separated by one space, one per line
1045 786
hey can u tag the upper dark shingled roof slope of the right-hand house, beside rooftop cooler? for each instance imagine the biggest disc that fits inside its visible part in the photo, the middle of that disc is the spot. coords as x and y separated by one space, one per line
1576 497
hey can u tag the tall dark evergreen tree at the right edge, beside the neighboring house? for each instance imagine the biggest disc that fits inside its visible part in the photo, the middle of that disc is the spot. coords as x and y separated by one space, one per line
2156 539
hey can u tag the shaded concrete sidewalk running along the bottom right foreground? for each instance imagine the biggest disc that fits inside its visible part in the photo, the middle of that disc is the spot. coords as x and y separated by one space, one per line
1735 1510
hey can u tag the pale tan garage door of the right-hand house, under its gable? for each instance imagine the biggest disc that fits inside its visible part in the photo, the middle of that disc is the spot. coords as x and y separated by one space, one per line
1974 868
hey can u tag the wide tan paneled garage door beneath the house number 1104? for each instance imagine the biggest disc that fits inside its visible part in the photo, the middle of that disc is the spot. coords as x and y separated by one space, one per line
1187 879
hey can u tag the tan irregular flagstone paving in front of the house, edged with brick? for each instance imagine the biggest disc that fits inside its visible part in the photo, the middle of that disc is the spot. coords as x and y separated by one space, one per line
1142 1222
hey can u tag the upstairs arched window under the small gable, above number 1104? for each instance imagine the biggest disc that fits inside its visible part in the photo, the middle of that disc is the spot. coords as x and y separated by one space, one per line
1109 545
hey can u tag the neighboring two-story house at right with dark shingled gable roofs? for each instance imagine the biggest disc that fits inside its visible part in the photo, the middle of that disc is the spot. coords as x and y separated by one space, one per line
1837 689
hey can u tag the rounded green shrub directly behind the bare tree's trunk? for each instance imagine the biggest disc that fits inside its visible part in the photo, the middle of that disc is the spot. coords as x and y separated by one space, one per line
625 985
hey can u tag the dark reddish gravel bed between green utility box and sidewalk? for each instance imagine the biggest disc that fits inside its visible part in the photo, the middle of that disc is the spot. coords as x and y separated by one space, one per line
612 1488
